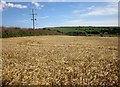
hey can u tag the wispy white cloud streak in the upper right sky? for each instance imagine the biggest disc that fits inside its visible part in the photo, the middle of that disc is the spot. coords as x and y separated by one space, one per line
110 9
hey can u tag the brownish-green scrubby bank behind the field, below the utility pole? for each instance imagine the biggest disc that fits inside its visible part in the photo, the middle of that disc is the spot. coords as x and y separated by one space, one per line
19 32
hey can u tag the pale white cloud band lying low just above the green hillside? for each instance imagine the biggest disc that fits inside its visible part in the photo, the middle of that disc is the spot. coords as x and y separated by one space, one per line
77 22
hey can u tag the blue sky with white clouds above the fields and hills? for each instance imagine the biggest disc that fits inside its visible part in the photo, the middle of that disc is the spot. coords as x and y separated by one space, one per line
55 13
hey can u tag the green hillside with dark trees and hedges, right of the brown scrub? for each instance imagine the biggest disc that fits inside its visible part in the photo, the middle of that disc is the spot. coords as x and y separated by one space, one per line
87 31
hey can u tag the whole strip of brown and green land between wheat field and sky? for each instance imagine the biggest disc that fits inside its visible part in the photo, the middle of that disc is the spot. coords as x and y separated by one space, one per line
72 31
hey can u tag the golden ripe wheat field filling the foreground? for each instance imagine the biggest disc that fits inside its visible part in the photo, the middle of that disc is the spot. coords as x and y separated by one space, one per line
60 60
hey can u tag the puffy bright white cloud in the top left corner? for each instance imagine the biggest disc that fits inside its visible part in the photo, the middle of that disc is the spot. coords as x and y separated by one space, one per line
4 5
